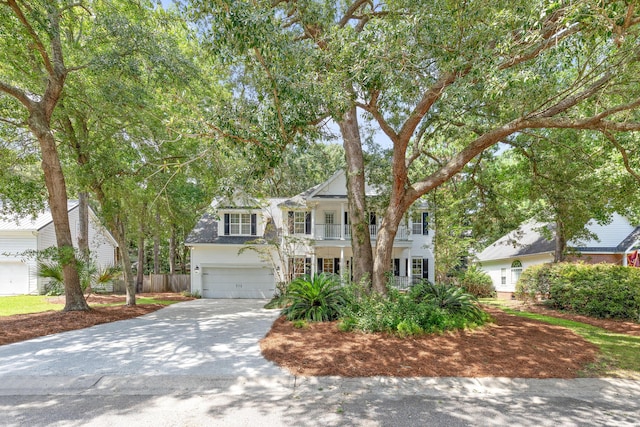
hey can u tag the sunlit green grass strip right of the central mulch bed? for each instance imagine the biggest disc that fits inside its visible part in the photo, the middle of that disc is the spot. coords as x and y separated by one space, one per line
619 353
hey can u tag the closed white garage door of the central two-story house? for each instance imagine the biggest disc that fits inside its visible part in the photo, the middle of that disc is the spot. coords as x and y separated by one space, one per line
244 282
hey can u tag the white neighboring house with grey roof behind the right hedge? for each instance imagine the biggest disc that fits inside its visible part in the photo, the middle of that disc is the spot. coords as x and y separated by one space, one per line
505 259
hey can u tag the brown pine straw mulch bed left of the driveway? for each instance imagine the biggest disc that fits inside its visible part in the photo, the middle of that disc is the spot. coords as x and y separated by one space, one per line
22 327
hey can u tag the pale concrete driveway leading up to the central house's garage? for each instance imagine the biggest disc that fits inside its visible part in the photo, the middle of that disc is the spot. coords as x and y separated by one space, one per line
200 337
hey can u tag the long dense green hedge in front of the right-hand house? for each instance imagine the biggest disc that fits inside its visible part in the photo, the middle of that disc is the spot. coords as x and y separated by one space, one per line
600 290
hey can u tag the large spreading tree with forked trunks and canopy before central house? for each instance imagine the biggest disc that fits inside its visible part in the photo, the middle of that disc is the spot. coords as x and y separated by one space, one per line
452 77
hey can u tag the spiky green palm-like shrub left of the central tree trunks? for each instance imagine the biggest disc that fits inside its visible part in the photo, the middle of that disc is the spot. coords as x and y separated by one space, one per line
316 299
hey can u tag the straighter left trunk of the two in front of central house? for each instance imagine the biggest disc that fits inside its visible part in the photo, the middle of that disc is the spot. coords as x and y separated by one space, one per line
360 237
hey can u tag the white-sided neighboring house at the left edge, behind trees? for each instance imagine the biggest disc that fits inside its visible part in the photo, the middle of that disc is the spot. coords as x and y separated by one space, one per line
18 273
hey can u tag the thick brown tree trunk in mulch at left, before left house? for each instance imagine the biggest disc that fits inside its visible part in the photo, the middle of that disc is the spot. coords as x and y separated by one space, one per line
57 190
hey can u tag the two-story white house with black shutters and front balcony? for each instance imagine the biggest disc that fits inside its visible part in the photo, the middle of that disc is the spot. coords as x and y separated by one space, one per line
313 233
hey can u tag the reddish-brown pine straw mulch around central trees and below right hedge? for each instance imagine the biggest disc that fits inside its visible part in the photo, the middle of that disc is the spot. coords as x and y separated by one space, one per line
510 347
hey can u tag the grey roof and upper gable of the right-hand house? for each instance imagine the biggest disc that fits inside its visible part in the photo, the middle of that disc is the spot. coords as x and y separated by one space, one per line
528 239
